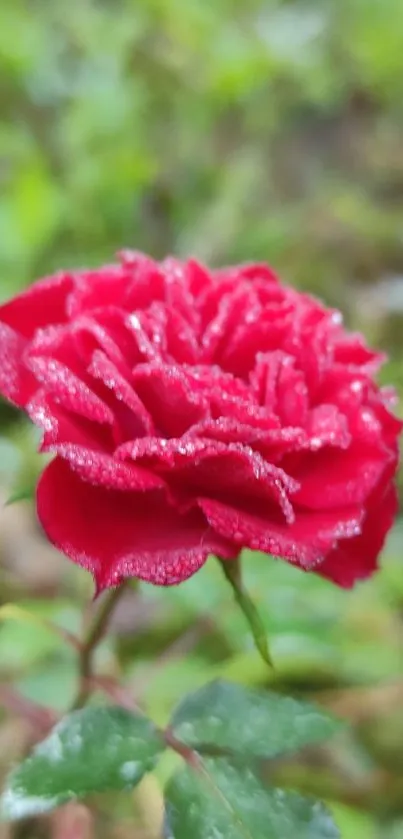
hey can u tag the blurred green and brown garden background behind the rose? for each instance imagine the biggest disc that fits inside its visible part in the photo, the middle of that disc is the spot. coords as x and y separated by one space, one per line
229 130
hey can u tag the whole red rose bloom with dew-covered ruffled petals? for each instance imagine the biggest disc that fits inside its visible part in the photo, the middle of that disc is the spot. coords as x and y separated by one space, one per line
195 412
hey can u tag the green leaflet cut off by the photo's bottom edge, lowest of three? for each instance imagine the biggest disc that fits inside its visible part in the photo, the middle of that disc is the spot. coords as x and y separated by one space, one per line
228 802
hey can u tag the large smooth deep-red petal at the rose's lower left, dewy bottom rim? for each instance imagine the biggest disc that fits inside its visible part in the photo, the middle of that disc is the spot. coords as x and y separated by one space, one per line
117 534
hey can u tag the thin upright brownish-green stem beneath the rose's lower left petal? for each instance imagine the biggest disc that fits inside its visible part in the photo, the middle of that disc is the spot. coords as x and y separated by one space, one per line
91 640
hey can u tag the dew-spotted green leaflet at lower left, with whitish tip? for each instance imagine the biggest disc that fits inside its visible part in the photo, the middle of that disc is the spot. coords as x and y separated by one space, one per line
89 751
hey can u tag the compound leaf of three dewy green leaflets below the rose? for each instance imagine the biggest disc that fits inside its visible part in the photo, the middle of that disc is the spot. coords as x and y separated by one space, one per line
99 749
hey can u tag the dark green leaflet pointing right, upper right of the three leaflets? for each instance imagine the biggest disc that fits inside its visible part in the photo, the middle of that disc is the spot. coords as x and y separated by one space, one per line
251 723
